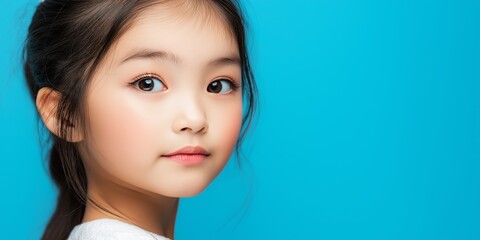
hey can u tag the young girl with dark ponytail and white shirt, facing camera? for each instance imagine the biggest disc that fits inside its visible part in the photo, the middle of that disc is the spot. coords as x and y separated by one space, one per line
144 101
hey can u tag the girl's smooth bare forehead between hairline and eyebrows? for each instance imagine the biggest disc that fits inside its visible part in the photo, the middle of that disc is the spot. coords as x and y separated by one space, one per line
192 32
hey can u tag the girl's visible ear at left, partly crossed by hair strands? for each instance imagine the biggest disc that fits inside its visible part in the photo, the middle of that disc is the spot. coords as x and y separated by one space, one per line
47 103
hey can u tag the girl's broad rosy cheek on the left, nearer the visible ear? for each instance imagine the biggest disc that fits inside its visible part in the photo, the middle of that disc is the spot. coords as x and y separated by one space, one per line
121 134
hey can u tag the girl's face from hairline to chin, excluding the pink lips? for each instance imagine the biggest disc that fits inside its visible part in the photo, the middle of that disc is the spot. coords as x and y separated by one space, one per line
166 84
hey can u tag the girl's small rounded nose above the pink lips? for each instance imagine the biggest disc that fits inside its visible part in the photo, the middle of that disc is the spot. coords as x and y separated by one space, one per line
190 117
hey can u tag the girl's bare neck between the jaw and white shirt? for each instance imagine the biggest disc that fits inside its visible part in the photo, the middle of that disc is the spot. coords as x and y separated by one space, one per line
151 212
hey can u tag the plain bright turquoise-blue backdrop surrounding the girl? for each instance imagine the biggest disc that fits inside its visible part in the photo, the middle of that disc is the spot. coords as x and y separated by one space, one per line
368 128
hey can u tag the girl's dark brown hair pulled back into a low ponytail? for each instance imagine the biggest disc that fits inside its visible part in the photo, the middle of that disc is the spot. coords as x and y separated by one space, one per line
66 40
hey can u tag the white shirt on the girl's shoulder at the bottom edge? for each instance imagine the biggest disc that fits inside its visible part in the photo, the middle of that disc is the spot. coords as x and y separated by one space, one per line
111 229
